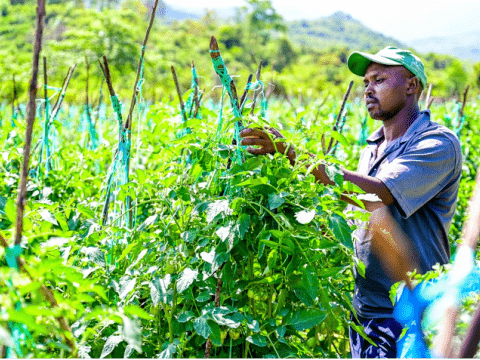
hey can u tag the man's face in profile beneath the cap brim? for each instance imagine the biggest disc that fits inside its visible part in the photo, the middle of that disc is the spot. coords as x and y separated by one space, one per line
385 90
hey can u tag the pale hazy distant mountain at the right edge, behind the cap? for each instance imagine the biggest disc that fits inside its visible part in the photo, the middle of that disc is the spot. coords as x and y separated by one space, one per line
464 46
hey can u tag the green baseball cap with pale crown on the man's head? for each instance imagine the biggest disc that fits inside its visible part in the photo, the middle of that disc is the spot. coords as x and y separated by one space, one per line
358 62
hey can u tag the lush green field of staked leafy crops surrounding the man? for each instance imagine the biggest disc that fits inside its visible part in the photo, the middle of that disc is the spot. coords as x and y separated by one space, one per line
166 239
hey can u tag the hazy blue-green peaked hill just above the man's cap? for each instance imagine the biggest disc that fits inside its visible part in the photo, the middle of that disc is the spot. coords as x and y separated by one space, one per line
338 29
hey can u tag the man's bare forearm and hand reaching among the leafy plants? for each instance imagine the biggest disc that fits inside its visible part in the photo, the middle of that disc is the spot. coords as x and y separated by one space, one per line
266 145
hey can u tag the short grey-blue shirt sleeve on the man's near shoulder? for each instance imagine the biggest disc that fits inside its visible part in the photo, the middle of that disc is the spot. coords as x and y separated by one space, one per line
417 175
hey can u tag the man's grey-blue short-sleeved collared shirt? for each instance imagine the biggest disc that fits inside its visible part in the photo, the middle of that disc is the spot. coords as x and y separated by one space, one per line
422 170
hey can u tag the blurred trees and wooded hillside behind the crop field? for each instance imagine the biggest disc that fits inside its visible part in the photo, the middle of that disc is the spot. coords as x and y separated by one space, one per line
301 58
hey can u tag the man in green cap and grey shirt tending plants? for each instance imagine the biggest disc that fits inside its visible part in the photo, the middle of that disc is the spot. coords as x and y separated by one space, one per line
411 164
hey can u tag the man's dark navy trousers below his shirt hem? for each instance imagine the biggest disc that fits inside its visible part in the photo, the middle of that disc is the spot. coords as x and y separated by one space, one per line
383 331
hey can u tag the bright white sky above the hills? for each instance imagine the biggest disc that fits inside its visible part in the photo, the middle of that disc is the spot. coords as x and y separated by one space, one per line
405 20
